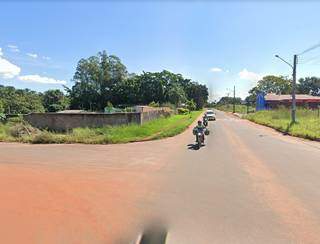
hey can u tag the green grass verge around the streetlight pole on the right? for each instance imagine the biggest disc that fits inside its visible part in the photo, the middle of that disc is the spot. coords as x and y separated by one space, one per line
308 125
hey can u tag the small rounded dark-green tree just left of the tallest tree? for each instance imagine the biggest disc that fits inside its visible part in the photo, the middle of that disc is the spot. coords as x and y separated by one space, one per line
54 100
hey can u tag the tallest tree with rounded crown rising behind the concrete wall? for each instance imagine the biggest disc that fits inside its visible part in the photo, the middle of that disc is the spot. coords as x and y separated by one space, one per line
95 78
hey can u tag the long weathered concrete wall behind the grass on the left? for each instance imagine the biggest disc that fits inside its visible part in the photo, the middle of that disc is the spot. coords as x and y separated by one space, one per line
67 121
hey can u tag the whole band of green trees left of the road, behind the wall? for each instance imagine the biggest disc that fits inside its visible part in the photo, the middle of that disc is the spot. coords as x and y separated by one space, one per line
103 79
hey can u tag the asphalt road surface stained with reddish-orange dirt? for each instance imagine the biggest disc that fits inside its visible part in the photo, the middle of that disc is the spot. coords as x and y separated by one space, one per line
248 184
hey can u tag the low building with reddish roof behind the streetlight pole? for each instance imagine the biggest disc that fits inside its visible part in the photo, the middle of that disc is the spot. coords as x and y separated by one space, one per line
274 100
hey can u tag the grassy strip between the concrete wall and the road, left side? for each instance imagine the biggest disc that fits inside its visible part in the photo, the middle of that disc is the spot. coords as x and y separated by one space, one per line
156 129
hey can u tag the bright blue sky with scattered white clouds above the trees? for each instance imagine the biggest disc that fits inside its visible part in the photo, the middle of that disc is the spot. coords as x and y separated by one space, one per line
220 44
